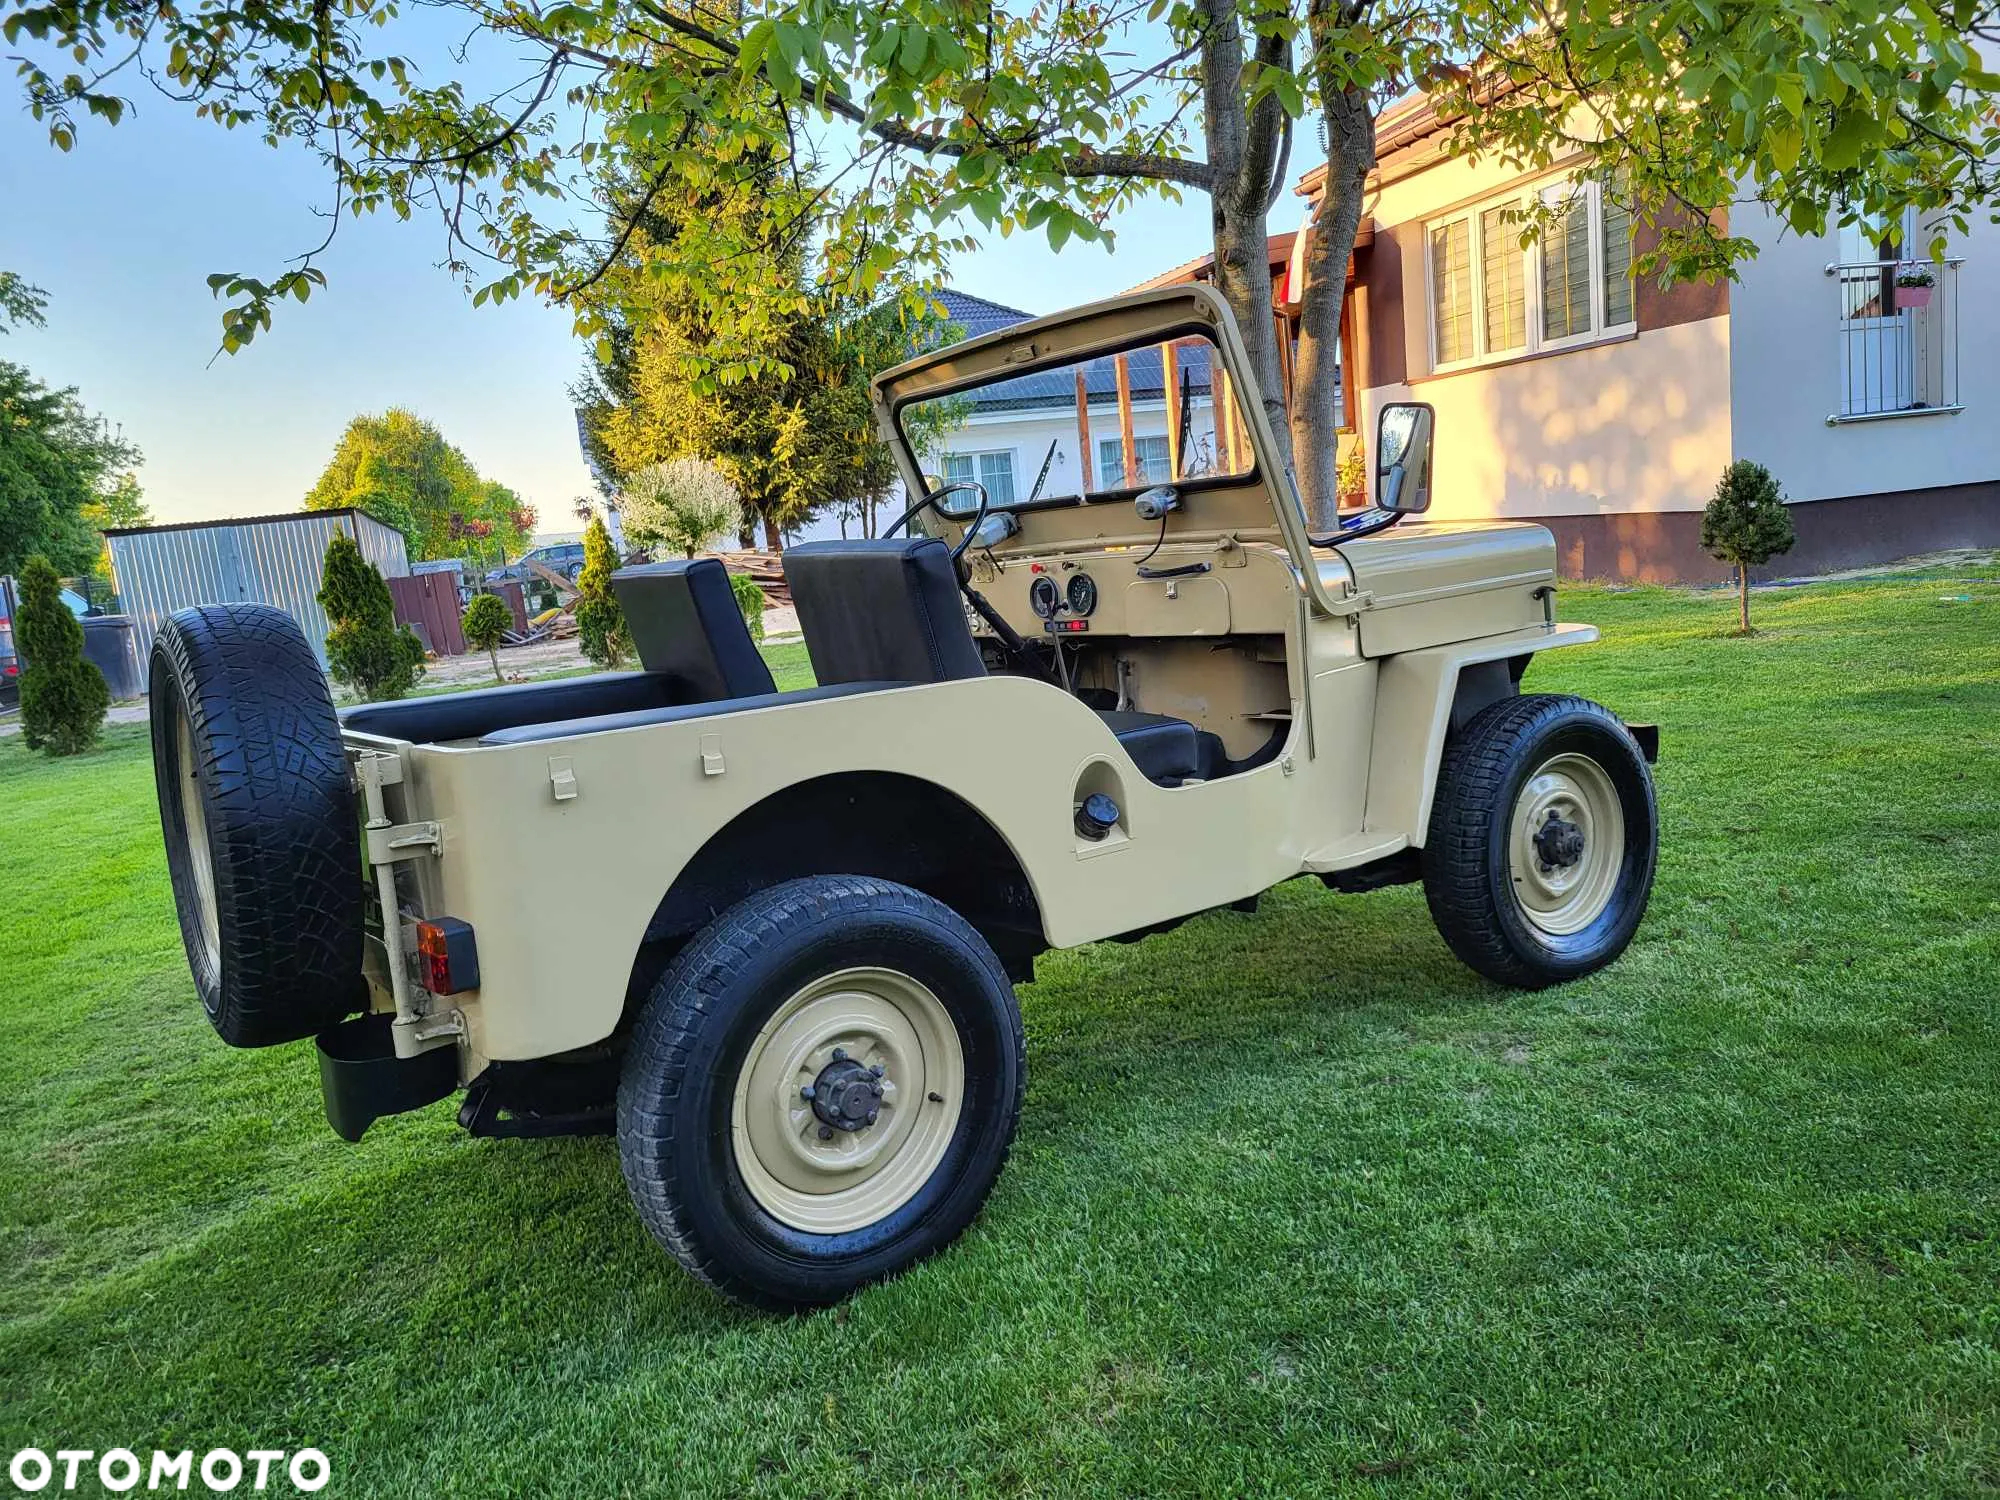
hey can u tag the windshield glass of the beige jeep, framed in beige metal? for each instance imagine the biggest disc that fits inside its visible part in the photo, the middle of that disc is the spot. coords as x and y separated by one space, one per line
1097 429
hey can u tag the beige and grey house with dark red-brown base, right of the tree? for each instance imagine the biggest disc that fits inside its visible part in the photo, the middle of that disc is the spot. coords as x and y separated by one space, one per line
1573 393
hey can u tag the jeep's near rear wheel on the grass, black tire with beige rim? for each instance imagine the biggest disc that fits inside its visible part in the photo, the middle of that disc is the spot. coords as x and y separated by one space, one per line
821 1091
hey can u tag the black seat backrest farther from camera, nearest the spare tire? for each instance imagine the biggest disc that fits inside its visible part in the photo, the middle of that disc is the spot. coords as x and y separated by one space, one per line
685 625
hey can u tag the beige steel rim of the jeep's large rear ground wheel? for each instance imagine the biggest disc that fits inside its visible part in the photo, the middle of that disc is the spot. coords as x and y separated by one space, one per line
877 1019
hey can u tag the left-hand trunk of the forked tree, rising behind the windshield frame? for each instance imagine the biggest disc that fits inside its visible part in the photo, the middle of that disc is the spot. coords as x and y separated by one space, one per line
1241 225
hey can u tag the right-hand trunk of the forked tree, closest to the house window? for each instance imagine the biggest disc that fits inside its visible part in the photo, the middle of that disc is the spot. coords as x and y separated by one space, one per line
1337 219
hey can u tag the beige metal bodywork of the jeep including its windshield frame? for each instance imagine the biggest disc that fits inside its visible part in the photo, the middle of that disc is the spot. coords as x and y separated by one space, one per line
1327 669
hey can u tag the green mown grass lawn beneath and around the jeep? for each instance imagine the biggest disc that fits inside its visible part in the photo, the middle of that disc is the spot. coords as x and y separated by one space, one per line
1299 1205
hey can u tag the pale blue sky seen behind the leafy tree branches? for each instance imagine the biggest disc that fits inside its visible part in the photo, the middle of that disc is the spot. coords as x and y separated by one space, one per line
125 229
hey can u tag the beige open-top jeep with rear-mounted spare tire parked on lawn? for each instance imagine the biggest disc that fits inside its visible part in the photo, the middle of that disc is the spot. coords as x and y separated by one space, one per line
771 937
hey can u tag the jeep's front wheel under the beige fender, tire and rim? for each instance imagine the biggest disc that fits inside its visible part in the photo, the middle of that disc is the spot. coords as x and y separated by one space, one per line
1543 841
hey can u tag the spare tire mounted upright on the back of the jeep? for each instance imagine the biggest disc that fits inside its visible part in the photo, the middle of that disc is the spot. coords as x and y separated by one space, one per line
263 841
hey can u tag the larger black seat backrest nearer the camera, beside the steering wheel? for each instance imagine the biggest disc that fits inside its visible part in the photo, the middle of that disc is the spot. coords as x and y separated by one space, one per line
881 611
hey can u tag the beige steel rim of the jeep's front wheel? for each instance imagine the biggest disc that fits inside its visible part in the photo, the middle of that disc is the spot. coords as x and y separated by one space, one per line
1563 897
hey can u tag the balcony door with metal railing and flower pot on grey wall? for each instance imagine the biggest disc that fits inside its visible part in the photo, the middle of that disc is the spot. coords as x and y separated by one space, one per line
1899 341
